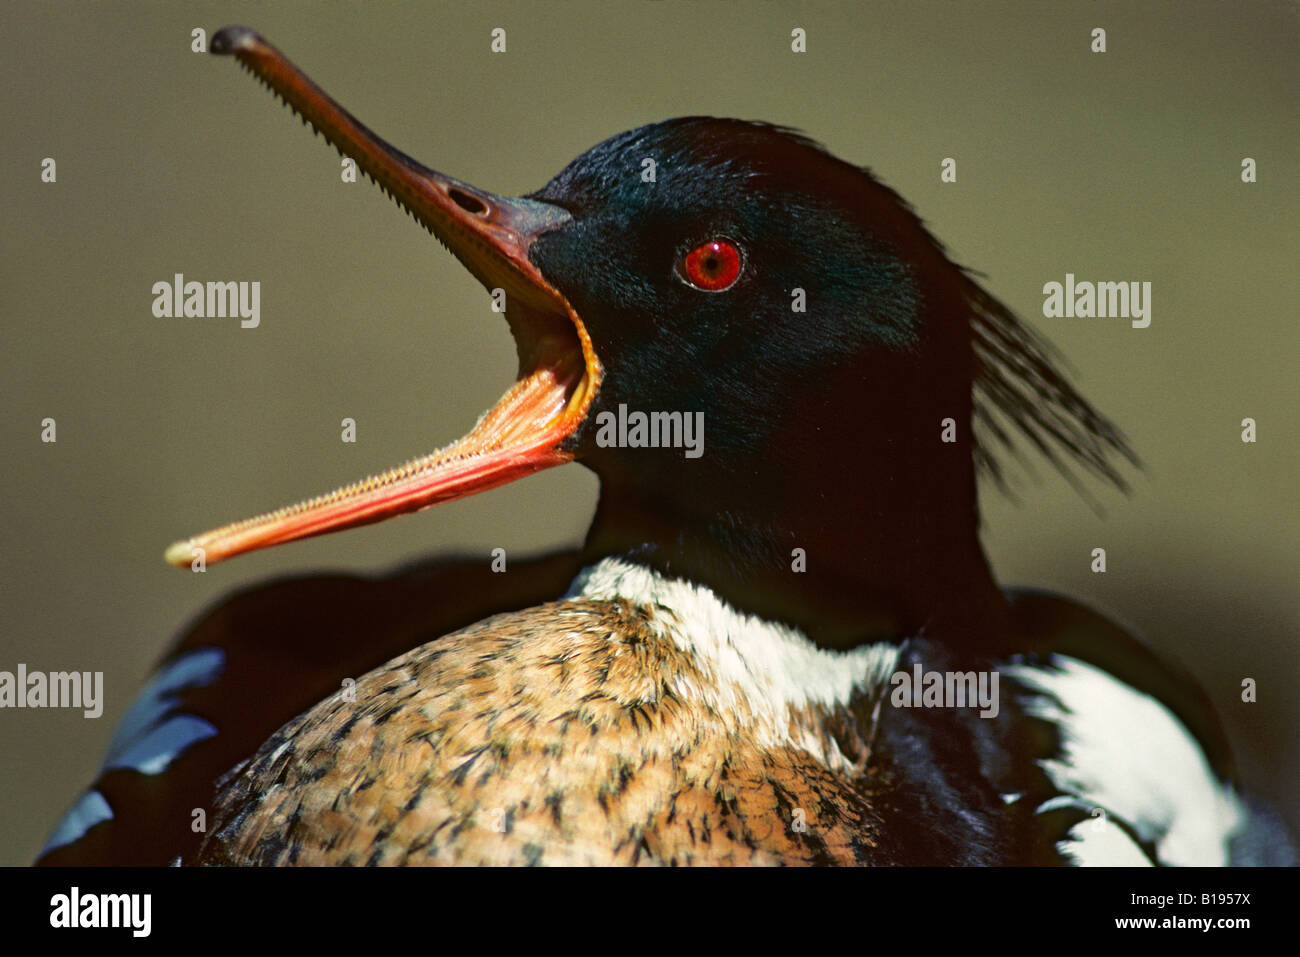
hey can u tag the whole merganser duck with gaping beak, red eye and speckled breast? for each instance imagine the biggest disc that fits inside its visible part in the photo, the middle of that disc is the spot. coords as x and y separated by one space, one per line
720 675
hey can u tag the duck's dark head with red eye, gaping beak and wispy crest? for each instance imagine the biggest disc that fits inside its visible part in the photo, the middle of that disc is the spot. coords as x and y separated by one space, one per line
736 279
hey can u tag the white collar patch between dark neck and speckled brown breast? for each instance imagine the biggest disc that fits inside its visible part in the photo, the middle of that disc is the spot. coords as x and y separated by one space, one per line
770 670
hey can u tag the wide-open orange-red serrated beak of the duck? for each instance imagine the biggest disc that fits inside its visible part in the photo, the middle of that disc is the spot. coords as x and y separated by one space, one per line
558 370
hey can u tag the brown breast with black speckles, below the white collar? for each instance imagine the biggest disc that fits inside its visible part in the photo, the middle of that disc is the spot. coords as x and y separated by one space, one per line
553 737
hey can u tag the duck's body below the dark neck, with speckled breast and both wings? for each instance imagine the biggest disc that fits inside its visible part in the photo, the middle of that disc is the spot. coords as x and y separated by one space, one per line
600 729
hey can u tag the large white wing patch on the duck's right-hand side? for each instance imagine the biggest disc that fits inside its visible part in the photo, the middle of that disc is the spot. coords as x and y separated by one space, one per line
1126 754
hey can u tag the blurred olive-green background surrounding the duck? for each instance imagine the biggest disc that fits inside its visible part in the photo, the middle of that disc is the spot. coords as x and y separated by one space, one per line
1124 166
